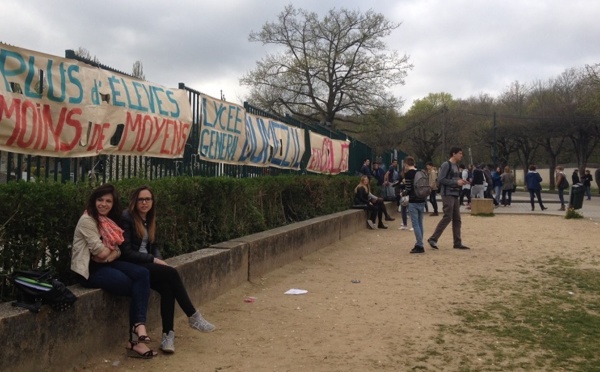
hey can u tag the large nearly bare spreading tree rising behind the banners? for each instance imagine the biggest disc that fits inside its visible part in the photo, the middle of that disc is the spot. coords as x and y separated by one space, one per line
328 67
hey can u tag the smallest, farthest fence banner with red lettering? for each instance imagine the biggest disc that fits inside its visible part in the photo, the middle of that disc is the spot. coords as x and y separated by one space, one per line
327 155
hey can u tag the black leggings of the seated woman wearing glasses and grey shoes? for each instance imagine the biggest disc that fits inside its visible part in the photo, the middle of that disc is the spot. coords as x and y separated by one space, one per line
166 281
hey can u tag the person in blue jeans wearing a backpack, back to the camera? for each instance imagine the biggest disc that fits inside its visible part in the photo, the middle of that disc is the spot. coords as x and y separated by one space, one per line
418 189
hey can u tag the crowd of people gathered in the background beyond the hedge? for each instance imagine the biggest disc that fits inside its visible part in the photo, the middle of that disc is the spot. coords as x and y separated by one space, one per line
454 182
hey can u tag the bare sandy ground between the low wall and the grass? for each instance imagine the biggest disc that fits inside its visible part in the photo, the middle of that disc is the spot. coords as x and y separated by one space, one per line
389 321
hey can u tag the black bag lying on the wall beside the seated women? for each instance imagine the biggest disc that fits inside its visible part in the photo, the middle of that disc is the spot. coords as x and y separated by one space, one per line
36 288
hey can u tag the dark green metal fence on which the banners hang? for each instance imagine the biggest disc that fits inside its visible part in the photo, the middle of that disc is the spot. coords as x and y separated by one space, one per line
115 167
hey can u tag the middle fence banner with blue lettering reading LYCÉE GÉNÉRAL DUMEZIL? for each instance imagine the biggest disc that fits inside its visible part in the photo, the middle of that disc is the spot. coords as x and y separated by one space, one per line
229 134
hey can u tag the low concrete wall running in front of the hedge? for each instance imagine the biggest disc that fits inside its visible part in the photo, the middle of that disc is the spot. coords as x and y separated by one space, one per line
58 341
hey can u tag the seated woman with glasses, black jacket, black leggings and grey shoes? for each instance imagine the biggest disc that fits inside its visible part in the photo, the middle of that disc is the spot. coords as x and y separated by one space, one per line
140 246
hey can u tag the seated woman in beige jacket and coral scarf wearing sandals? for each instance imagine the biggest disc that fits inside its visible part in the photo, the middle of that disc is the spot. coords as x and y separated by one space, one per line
95 260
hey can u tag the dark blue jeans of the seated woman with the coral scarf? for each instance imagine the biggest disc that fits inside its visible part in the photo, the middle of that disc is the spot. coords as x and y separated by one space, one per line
123 279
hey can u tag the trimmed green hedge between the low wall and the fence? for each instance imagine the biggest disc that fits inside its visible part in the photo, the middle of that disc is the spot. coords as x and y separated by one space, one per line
37 220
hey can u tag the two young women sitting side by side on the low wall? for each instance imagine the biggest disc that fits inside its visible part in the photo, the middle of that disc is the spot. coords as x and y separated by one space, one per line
117 250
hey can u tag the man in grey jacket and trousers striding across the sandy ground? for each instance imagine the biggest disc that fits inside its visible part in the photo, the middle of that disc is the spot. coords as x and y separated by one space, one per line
451 182
